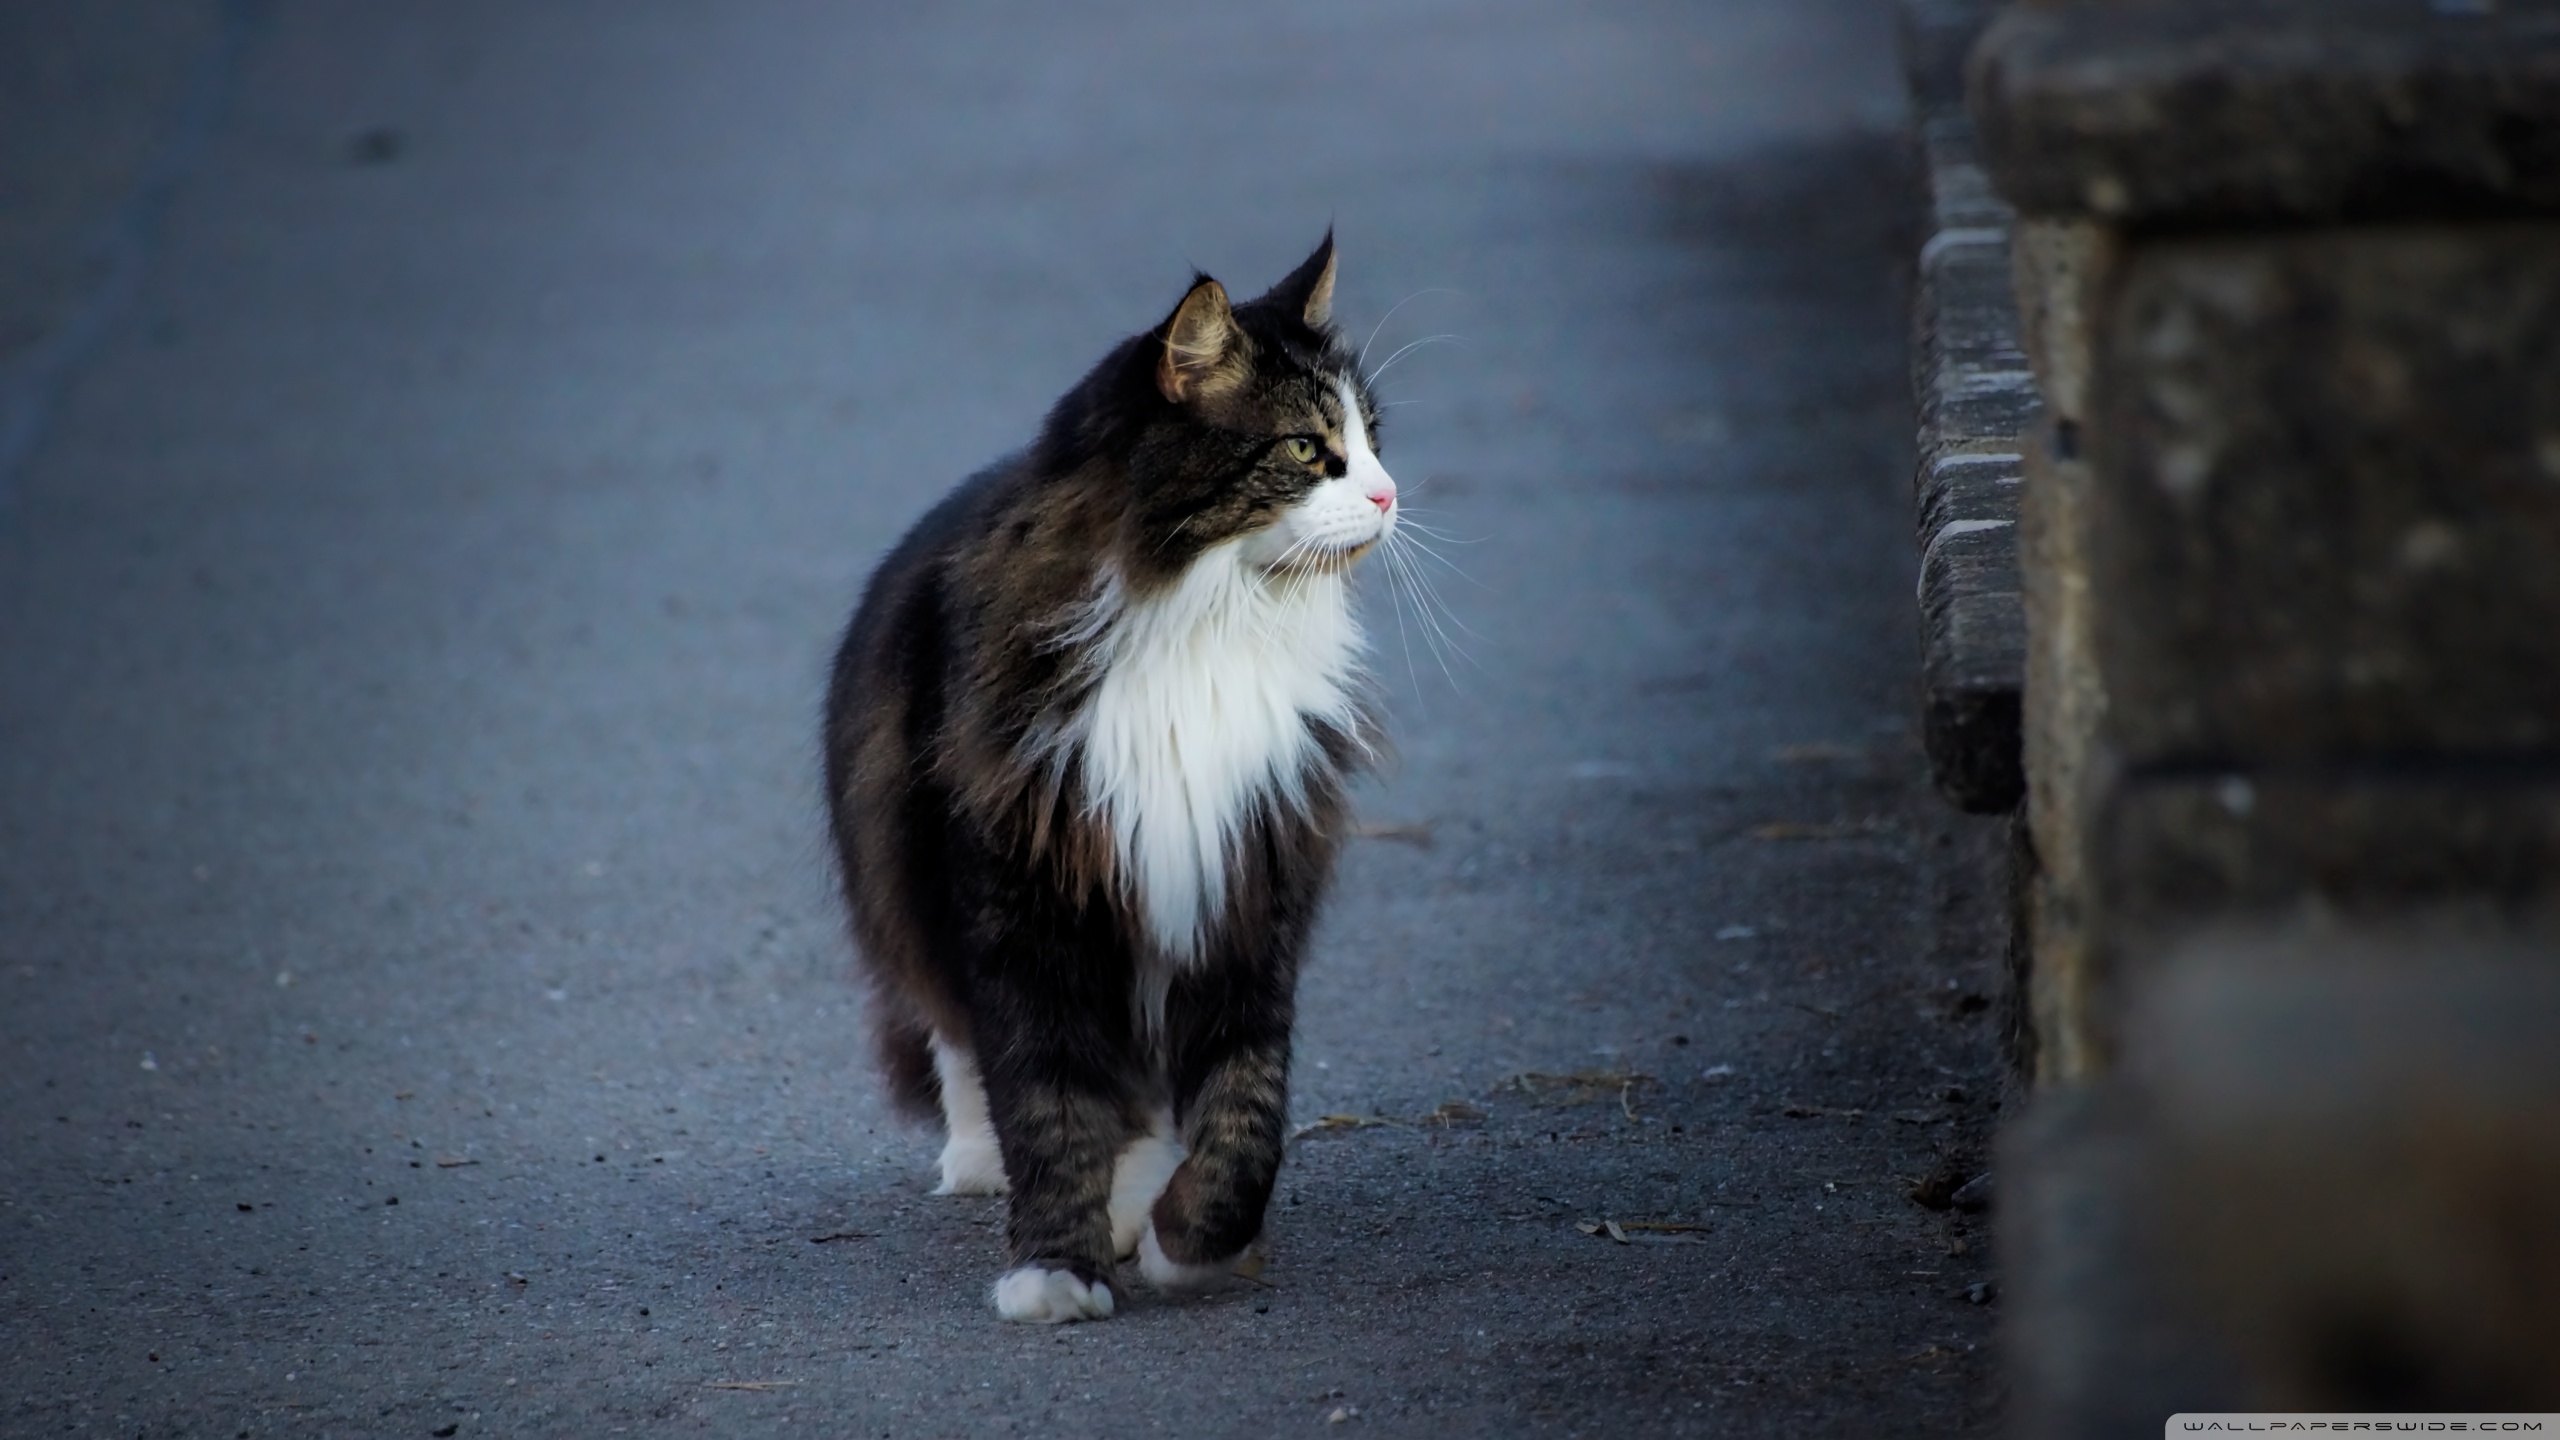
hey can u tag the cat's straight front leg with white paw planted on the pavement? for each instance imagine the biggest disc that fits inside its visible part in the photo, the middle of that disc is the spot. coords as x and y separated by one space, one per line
1061 1136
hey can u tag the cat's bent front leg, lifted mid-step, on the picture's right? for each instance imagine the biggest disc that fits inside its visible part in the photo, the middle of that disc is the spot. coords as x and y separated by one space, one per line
1233 1095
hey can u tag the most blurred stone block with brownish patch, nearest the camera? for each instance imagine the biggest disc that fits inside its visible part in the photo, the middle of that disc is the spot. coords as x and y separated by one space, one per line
2356 1144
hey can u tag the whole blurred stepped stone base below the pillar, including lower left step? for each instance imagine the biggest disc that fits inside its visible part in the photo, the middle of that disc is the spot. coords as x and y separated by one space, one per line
2328 1177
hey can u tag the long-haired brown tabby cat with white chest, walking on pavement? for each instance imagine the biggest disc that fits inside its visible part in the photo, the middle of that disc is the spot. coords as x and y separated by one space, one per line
1087 757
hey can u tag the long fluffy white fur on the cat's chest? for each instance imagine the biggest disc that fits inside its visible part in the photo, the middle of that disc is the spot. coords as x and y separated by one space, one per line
1202 714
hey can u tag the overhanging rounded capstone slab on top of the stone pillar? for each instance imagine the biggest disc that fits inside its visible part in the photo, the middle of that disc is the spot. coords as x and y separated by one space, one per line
2231 111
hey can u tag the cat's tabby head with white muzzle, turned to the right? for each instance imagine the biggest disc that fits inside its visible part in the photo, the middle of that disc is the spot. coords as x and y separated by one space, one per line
1256 429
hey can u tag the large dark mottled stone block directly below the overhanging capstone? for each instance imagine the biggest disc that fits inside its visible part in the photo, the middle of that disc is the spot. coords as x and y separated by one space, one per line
2331 498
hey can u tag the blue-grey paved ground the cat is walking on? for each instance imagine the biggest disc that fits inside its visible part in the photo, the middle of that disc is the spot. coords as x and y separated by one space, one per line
421 998
